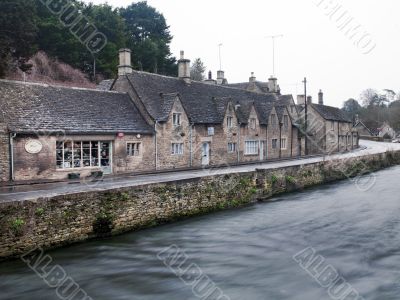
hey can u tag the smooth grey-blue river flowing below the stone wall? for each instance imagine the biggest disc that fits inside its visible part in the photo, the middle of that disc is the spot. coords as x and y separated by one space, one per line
248 252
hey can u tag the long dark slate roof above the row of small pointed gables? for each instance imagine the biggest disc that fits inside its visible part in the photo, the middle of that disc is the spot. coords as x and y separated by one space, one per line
203 102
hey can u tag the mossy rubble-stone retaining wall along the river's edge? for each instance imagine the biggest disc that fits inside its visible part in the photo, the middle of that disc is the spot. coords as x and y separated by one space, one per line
58 220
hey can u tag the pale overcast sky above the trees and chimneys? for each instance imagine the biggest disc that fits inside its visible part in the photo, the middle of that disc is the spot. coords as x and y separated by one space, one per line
312 44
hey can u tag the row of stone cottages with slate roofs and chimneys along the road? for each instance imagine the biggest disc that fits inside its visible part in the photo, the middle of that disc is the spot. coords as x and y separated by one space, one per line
144 122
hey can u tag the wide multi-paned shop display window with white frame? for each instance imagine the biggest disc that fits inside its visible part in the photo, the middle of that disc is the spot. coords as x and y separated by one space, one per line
82 154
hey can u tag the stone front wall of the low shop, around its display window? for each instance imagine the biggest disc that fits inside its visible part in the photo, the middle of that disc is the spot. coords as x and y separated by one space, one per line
43 165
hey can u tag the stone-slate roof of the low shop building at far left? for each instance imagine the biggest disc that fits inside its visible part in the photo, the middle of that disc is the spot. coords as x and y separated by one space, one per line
32 108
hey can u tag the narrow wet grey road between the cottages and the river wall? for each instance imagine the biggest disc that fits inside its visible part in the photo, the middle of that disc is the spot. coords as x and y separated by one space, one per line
29 192
